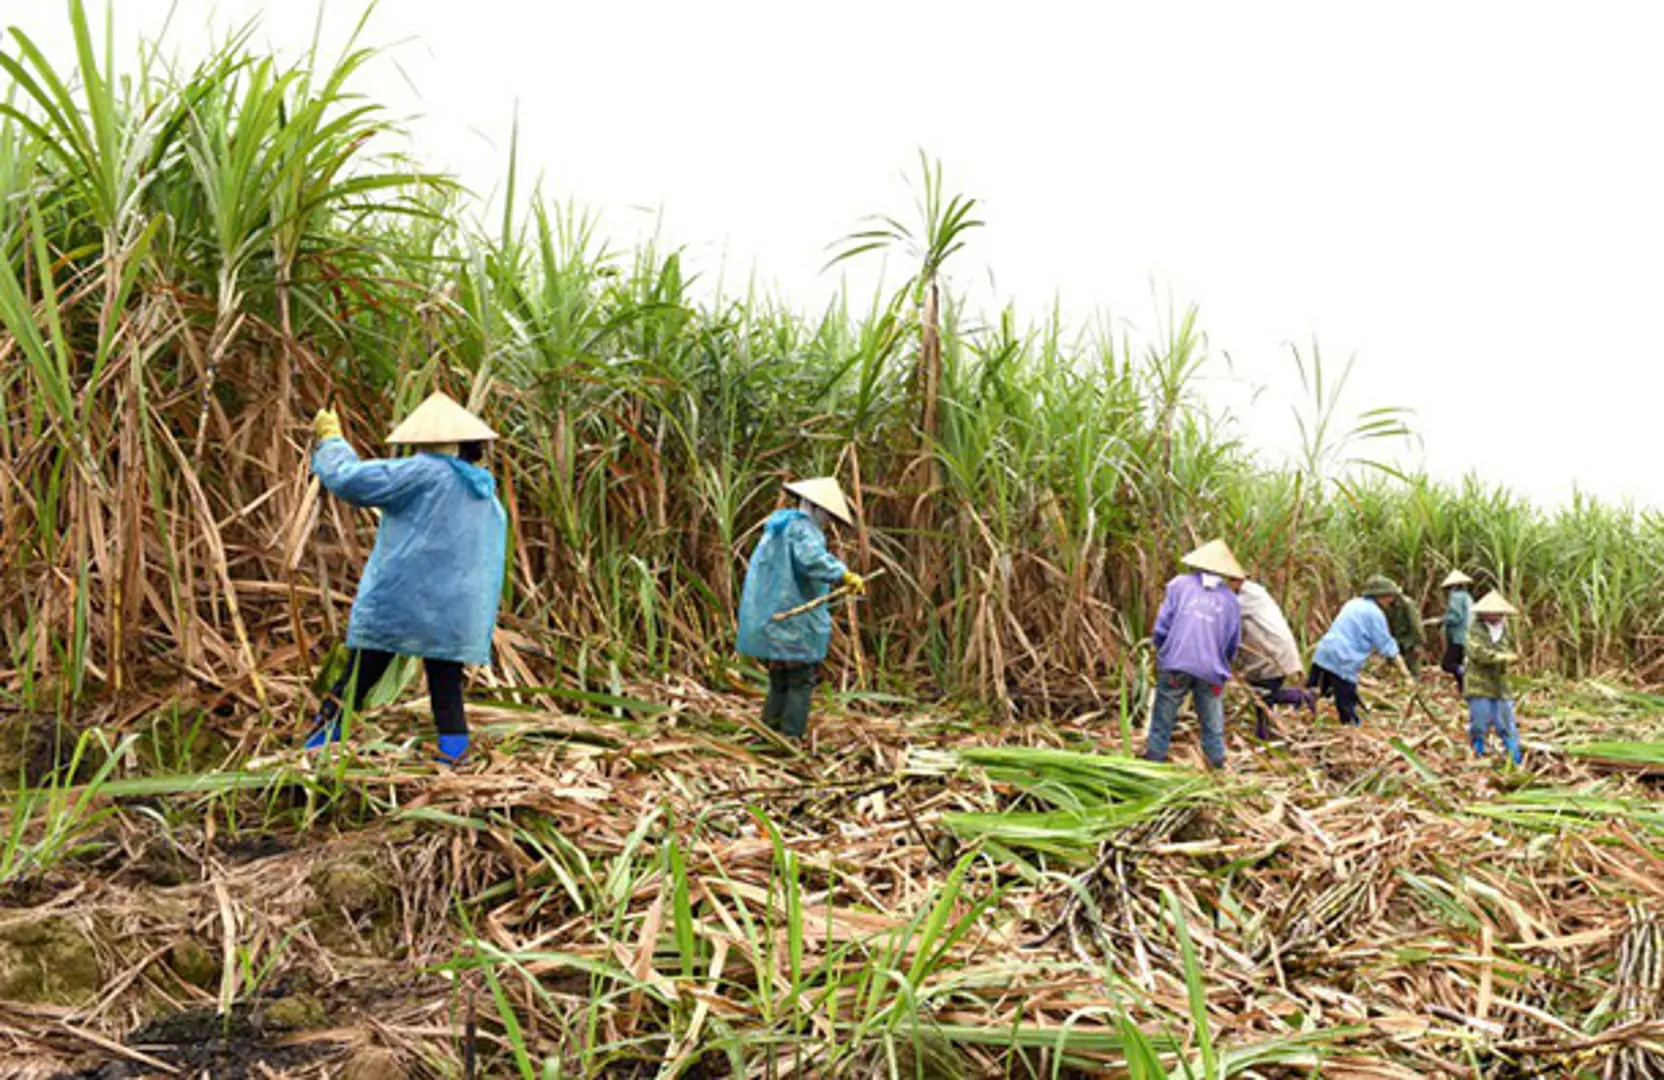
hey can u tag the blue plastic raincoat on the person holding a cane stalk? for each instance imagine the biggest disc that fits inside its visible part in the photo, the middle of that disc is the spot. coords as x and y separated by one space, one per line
791 567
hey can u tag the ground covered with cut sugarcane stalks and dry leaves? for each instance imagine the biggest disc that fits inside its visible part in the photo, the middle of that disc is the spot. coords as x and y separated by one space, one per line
655 881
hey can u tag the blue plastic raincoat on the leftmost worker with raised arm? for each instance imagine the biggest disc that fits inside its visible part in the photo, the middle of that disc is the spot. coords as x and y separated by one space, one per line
433 583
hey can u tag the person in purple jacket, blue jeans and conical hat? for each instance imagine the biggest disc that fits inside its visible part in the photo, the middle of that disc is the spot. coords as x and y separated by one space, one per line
1197 635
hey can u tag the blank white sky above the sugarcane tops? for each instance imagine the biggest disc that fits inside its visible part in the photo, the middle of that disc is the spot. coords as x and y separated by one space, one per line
1470 197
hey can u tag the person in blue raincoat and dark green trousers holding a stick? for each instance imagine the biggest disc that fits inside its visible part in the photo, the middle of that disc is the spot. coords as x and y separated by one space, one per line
790 568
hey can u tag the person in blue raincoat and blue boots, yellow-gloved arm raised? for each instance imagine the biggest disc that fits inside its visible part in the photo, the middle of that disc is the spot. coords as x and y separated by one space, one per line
433 582
